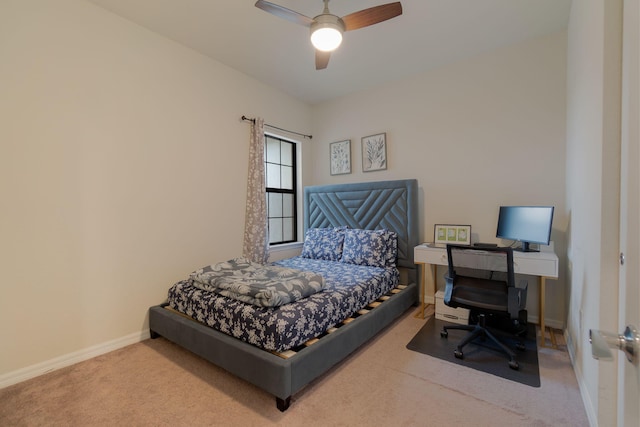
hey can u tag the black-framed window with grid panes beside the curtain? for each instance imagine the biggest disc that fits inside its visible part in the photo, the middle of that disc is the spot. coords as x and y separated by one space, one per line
280 169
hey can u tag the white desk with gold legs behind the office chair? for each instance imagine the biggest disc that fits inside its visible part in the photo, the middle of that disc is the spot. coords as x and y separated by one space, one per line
541 264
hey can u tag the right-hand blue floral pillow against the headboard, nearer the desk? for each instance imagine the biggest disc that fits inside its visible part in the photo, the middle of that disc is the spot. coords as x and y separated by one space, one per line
365 247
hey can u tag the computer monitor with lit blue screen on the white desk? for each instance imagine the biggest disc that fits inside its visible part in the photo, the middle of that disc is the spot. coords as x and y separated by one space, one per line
526 224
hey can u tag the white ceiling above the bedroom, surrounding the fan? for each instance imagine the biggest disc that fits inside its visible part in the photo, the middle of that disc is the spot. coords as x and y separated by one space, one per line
429 34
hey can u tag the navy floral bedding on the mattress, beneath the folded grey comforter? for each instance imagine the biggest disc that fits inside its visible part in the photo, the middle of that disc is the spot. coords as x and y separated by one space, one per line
348 288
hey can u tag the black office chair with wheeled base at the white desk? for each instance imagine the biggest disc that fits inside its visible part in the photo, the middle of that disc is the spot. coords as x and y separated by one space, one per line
482 280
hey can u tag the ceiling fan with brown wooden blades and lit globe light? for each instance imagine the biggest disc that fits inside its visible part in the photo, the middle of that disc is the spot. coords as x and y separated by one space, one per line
327 29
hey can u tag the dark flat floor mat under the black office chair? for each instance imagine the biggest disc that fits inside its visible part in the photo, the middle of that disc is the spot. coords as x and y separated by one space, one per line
483 356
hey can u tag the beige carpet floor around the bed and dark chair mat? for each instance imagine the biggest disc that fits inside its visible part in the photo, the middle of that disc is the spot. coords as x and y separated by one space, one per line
156 383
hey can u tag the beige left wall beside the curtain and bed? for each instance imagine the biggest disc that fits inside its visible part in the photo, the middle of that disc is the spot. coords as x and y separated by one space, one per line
123 167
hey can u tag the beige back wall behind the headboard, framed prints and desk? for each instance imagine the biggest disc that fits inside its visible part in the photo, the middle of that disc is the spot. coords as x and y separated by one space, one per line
477 134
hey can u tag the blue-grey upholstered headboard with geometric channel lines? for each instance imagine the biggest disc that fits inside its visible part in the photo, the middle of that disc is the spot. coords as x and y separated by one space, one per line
392 205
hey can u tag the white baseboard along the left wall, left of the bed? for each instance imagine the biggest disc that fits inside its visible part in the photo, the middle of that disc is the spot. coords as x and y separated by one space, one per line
70 359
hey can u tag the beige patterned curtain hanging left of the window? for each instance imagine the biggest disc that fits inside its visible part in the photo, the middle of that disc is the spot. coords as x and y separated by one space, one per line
256 241
